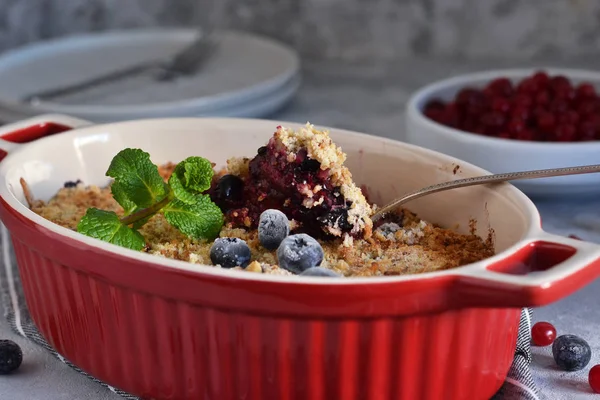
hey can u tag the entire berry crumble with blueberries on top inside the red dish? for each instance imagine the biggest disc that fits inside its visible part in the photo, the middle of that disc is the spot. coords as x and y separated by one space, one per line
292 209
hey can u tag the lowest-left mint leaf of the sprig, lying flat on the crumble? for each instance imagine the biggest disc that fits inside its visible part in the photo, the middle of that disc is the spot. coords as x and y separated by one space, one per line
106 226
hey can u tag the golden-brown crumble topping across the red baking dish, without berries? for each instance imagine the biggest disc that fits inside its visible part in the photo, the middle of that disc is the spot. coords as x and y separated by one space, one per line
403 245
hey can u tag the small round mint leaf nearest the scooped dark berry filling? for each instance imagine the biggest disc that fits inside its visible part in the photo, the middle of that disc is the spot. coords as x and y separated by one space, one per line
194 175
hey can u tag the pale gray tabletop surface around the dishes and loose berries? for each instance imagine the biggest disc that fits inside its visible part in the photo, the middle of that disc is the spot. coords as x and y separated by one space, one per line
371 99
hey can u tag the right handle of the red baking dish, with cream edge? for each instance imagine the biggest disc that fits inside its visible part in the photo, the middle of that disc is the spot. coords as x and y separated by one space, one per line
545 270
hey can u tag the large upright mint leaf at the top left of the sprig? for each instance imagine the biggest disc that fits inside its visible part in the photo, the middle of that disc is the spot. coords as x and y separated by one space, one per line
137 177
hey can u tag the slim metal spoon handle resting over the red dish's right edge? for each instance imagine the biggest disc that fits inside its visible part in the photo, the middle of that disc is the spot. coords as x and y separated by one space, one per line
480 180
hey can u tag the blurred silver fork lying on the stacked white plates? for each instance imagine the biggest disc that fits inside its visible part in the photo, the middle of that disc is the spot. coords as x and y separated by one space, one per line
185 62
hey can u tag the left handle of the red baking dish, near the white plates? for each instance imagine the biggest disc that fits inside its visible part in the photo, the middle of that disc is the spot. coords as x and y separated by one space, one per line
14 135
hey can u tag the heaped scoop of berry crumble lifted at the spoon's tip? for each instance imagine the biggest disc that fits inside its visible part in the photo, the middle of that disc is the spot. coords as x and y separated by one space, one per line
302 174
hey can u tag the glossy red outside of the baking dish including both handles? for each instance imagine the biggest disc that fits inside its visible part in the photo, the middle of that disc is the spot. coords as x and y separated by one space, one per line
165 332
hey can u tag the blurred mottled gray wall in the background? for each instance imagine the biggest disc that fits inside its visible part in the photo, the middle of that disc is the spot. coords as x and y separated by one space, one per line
339 29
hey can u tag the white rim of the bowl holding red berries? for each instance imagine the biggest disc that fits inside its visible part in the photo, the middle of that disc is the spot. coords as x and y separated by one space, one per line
429 91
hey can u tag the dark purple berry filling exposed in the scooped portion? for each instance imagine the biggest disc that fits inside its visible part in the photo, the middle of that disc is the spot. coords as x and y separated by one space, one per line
295 187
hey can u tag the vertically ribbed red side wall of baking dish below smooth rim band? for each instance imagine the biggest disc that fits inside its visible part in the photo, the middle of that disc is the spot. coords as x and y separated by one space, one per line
166 349
